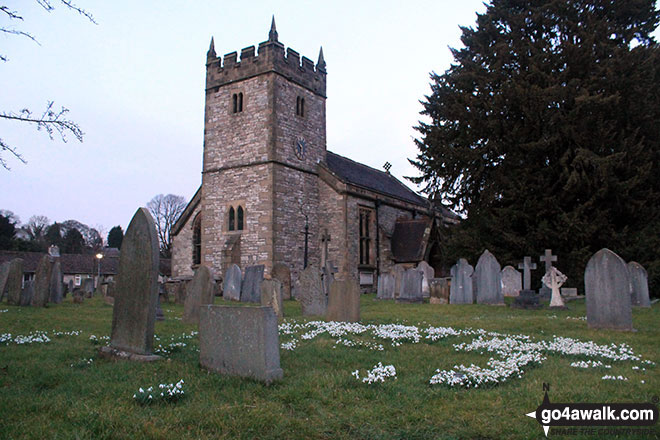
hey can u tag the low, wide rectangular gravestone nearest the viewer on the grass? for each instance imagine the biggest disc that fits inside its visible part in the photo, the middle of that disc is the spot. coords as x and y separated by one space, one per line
240 341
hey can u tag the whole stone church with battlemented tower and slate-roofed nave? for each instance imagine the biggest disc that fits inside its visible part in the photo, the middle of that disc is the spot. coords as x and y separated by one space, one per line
272 193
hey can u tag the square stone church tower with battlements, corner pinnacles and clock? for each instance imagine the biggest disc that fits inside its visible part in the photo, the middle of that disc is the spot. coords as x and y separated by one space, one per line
264 136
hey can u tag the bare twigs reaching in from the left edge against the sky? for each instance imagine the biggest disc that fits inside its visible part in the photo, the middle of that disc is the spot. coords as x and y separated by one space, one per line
52 121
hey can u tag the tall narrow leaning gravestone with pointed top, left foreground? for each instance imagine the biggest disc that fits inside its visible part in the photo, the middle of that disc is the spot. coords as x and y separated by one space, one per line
136 292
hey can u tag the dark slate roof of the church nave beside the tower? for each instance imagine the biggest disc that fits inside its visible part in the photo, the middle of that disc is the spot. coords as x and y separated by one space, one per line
361 175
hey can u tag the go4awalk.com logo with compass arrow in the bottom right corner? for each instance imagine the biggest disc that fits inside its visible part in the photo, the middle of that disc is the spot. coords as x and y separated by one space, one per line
594 415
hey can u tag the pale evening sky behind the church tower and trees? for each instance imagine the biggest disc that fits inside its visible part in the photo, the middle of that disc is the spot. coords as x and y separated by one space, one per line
135 85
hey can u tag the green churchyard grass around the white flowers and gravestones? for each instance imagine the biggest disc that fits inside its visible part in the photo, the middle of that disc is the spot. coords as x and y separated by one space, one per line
49 390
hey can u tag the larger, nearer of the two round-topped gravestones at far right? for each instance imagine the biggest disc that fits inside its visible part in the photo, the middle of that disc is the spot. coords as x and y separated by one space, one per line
607 290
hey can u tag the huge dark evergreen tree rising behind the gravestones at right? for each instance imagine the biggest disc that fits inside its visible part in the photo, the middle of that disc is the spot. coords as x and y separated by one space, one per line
545 133
